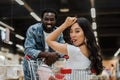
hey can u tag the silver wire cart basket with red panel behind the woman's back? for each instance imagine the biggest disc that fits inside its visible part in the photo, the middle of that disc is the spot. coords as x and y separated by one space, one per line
75 74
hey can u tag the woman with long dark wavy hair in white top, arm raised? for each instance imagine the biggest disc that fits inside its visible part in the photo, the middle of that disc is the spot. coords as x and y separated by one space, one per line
81 48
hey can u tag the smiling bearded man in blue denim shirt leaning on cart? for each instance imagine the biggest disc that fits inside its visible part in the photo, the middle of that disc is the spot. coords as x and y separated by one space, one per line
35 45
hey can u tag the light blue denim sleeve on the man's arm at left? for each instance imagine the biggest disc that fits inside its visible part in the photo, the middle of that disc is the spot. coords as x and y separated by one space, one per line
30 44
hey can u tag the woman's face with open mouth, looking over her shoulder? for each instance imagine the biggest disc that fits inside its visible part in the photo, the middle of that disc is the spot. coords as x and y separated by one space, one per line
77 35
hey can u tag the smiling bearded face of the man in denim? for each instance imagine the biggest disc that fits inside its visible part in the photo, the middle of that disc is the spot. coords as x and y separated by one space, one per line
48 21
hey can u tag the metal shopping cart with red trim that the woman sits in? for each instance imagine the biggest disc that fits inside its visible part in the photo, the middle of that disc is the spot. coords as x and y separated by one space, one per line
44 72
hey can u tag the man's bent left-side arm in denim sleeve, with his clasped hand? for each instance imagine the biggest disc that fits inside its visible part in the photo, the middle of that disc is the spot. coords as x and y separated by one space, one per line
30 48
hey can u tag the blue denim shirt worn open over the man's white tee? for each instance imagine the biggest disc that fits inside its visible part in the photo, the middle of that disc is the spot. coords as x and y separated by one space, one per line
34 44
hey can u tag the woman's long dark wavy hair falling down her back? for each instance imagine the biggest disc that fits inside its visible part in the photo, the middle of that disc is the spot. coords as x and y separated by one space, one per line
95 52
